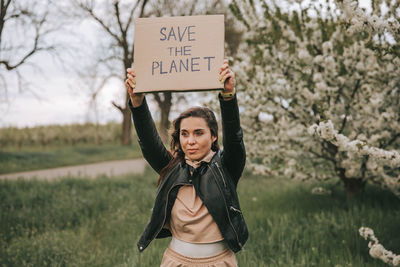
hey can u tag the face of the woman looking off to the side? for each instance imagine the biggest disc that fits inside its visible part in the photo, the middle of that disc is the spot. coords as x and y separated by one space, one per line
195 138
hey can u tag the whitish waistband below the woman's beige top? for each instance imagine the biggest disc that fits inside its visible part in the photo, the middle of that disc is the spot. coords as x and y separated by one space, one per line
197 250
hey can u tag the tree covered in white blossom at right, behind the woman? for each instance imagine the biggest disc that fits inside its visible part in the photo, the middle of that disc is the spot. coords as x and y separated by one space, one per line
304 64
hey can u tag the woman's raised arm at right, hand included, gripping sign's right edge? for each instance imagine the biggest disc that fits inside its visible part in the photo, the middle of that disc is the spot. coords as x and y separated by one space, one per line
234 155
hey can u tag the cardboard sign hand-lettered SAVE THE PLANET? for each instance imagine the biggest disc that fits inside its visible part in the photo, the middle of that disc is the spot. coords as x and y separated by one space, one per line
178 53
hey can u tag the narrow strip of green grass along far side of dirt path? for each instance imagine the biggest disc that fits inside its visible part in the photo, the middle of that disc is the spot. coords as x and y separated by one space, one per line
36 158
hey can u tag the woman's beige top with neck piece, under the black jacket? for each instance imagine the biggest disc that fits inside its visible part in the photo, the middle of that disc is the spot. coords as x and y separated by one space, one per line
190 220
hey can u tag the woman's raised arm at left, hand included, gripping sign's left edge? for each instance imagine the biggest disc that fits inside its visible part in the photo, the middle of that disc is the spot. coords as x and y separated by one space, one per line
153 149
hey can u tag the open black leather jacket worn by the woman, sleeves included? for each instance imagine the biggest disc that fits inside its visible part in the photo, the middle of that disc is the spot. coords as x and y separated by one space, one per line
215 182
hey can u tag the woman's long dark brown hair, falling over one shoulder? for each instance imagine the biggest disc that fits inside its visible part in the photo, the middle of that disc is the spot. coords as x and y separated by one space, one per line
176 150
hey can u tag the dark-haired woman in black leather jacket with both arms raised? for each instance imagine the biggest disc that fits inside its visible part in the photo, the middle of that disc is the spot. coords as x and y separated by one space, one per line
196 202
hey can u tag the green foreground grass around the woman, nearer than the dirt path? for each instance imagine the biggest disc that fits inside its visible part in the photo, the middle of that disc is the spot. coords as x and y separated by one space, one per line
97 222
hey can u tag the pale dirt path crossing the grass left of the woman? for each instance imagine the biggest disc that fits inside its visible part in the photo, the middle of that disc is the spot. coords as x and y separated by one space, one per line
109 168
